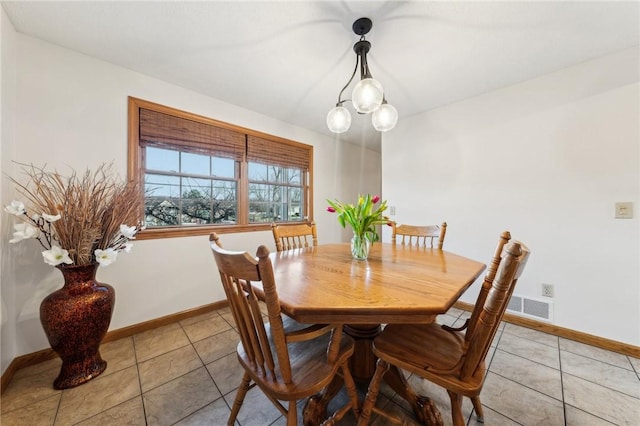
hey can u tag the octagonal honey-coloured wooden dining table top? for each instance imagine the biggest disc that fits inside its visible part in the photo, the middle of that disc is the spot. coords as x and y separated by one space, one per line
397 284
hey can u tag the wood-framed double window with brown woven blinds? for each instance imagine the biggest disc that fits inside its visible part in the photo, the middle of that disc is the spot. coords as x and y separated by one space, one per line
202 175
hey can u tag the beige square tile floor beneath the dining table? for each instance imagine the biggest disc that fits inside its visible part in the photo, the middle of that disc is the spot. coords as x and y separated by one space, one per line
186 373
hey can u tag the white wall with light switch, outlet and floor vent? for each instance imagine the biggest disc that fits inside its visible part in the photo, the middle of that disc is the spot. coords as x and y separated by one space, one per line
546 159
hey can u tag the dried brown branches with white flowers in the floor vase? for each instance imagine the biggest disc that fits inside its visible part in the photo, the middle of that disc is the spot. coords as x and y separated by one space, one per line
78 219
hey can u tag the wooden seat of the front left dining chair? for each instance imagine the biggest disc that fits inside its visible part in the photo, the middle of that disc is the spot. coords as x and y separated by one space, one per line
310 370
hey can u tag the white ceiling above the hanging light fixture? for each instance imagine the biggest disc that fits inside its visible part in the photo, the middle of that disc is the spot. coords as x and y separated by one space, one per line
289 60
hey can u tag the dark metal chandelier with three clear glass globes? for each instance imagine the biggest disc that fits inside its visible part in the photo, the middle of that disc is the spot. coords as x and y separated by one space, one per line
367 96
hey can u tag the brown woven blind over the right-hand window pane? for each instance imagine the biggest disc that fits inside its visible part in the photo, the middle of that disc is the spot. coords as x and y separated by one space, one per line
261 150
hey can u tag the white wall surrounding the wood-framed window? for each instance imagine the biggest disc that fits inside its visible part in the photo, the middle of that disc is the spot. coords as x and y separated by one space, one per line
72 111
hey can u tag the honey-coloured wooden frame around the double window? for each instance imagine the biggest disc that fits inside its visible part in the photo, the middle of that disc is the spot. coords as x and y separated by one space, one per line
135 171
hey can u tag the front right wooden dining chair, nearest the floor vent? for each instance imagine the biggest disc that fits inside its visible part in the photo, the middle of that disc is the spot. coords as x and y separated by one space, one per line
448 357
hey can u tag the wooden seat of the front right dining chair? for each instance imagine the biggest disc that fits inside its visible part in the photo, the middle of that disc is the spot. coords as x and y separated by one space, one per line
417 348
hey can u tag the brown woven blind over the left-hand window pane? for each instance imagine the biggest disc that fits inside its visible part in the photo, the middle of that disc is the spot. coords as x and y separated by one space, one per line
170 132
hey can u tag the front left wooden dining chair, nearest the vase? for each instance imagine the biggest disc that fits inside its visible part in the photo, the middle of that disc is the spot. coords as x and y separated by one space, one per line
287 365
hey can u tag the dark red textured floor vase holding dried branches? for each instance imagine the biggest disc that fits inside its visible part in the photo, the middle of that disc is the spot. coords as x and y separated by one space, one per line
75 319
